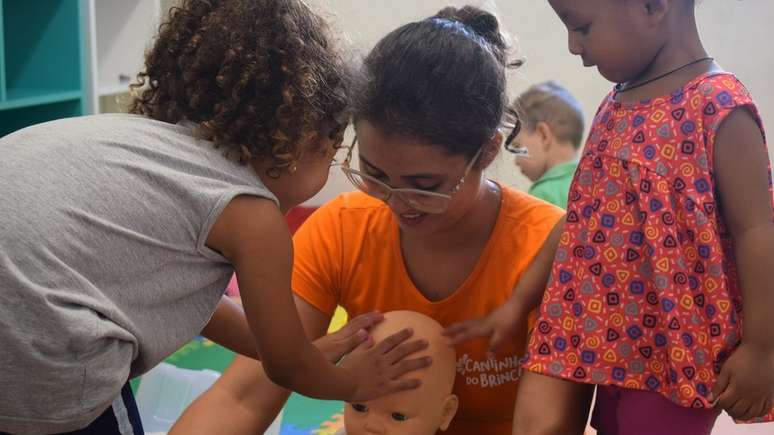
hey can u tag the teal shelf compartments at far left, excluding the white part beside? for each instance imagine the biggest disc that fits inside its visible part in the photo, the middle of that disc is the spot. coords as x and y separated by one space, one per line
42 53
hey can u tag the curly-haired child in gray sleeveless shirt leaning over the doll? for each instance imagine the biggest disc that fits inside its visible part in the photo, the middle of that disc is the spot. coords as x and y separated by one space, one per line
120 232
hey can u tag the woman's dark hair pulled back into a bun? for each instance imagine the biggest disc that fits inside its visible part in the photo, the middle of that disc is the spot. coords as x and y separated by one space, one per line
440 80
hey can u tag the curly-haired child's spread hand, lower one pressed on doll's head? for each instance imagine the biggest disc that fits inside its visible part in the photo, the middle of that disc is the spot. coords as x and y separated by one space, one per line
378 369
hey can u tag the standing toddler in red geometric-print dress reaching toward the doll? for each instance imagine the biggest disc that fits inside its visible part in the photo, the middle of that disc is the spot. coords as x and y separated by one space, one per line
658 285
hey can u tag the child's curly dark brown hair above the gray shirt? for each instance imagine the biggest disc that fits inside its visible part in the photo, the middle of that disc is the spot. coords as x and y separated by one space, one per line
261 78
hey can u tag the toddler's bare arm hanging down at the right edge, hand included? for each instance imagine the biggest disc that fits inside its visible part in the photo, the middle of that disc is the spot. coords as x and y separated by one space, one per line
745 386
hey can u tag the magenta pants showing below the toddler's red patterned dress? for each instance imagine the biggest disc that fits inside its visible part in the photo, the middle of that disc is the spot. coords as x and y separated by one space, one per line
622 411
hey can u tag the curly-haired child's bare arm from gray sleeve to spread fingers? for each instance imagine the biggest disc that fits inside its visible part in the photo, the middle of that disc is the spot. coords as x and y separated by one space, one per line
252 233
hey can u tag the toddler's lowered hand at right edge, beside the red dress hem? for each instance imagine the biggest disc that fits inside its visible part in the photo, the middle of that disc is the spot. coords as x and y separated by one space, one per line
745 386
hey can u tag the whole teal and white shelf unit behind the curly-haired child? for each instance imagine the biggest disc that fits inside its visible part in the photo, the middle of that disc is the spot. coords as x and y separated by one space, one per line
62 58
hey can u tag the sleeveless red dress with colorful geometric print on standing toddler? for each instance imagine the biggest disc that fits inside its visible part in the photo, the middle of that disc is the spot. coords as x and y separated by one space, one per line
643 292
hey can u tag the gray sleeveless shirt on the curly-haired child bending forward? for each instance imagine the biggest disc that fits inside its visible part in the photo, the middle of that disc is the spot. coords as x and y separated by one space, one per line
103 223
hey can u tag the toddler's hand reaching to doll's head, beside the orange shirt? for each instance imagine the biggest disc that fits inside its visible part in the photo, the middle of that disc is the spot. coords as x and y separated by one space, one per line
500 326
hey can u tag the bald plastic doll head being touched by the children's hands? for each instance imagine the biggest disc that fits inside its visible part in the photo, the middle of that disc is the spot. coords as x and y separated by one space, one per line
423 411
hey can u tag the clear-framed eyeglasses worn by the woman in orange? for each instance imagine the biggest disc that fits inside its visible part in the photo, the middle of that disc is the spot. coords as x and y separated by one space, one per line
422 200
